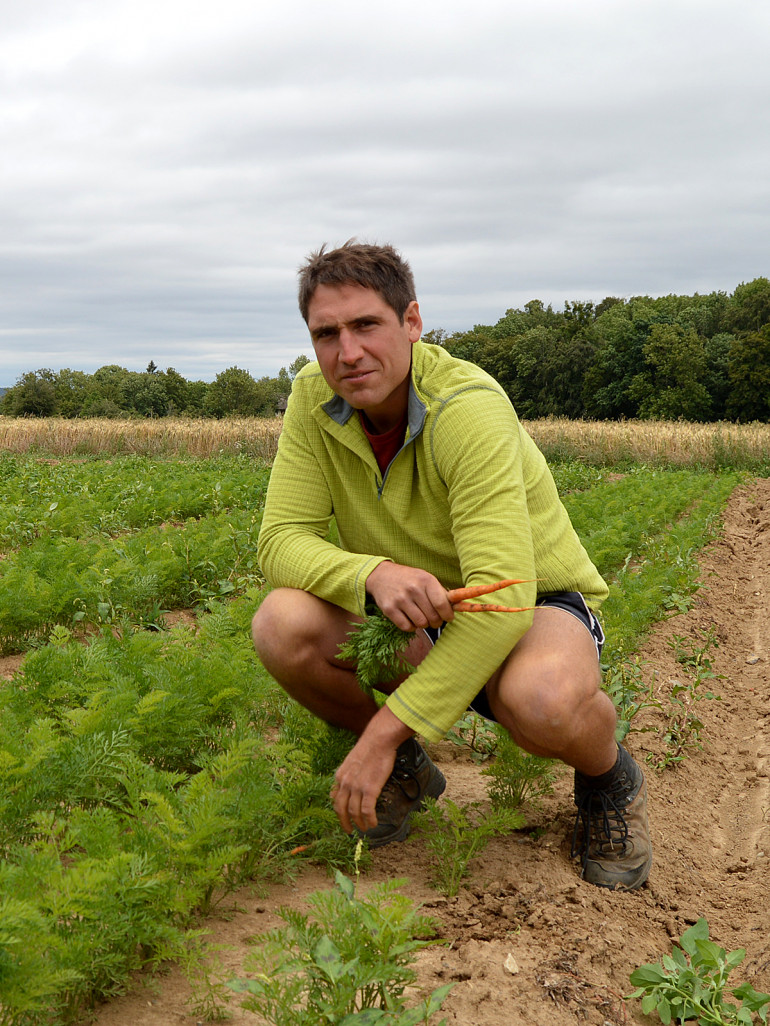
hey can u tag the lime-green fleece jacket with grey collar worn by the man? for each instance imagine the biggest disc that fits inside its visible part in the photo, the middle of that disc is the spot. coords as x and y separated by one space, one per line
469 498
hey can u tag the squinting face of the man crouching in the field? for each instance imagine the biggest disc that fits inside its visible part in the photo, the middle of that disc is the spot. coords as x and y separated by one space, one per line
364 351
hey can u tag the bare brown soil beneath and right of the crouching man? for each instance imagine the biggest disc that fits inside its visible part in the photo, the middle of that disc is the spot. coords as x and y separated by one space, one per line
532 943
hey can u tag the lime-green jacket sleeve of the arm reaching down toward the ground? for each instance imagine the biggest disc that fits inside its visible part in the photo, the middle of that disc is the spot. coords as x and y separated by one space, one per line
480 452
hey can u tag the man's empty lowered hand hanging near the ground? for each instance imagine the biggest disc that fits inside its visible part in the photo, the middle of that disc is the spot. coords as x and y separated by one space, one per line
365 771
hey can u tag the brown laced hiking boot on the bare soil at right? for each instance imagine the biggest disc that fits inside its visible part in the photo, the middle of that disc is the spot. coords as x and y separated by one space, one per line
612 835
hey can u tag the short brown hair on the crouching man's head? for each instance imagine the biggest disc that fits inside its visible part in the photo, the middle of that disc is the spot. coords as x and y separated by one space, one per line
379 268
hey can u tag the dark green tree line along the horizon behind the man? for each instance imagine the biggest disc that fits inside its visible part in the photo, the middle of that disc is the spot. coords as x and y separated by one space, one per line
696 358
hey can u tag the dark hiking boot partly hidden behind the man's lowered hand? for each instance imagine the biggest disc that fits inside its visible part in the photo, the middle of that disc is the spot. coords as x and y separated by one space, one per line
414 778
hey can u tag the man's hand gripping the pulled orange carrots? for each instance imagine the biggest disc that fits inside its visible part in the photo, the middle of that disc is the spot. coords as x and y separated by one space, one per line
409 597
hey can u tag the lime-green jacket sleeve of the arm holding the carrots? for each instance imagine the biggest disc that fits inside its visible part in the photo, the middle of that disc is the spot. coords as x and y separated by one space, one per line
294 546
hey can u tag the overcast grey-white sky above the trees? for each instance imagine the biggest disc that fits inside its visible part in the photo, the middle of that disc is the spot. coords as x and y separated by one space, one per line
166 166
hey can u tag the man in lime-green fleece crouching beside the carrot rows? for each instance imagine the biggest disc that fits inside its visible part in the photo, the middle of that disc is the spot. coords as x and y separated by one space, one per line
434 485
